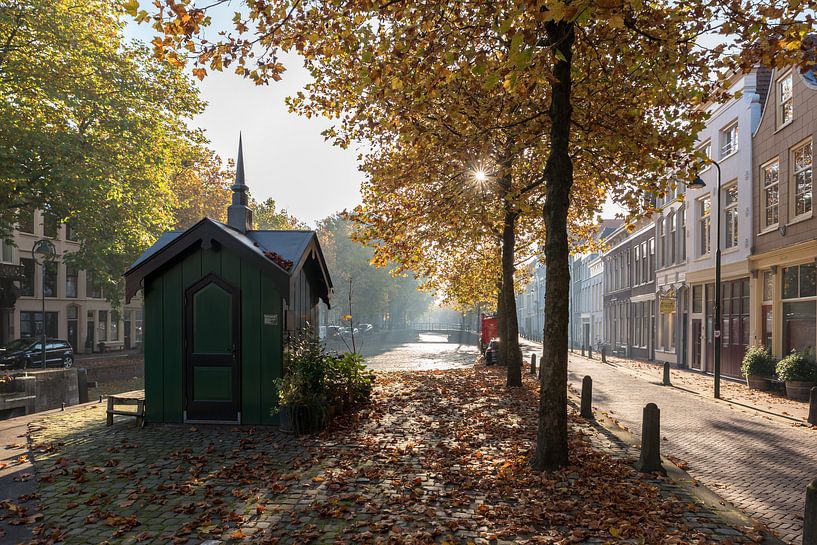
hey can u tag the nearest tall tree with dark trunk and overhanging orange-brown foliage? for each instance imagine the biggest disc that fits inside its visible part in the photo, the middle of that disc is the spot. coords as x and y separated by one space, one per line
616 81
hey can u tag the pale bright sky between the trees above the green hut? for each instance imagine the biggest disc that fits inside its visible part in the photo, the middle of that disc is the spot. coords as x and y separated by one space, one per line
285 156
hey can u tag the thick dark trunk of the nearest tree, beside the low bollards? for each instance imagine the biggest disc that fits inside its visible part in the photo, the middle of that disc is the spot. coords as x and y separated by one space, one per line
551 438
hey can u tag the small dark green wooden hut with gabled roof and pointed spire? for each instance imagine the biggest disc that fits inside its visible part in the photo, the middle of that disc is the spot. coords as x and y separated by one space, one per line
220 302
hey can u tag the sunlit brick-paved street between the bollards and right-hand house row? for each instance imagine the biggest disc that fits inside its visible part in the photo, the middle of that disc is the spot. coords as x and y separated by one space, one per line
760 463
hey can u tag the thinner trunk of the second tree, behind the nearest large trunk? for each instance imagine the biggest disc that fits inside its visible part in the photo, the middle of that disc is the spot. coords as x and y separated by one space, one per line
513 354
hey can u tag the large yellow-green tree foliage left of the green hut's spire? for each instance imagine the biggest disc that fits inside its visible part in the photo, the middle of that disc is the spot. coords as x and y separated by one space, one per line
91 128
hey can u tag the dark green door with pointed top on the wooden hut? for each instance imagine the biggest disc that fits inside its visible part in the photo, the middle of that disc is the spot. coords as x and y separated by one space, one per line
212 356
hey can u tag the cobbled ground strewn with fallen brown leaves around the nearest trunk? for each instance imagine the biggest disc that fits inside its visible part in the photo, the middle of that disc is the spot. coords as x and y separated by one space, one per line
438 457
